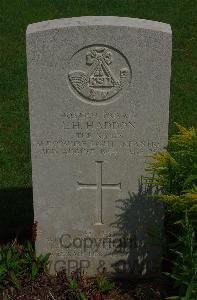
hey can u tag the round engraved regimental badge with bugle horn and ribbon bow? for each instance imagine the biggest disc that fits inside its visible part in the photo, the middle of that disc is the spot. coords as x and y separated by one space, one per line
104 72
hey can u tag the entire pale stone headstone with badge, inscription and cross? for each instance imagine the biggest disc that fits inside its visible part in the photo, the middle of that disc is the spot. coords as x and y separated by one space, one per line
99 91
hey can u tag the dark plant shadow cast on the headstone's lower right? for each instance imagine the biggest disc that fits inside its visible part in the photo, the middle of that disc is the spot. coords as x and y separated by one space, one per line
138 230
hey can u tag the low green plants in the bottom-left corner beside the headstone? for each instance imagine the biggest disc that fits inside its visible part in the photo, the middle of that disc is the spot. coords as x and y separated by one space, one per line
19 264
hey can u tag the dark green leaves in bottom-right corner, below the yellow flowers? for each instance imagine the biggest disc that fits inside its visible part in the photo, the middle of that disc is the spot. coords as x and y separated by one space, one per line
184 266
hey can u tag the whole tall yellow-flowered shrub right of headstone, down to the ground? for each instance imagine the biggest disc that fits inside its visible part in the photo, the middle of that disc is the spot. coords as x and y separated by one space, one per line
175 173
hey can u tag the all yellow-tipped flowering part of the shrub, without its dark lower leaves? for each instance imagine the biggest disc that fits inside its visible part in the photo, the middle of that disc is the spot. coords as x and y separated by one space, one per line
175 172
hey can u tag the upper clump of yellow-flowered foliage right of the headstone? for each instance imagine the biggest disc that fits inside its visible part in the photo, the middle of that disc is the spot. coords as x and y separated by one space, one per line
176 169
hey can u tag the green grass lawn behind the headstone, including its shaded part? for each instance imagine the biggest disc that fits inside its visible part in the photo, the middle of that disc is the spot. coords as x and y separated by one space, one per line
15 165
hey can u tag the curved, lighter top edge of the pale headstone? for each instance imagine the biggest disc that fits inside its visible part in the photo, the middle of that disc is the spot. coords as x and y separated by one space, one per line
99 20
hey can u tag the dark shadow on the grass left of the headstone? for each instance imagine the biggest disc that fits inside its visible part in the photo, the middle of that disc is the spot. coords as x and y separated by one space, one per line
16 214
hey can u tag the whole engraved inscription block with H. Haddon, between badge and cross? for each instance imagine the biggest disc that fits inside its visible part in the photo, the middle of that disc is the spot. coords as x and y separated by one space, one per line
109 134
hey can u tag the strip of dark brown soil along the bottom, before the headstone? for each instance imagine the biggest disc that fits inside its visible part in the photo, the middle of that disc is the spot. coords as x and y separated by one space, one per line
56 288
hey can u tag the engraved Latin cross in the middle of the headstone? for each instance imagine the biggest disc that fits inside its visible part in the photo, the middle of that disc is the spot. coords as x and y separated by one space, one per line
99 187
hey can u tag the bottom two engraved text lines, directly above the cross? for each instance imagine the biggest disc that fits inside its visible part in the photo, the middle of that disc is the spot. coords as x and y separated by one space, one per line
111 148
